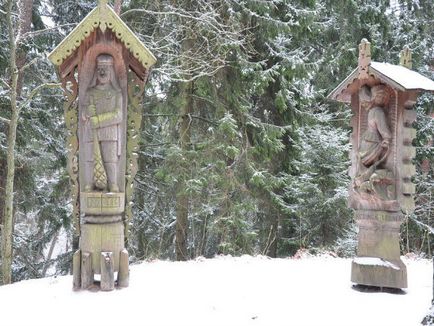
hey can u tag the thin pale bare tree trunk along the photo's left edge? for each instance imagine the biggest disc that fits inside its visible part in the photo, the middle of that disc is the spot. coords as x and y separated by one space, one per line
6 245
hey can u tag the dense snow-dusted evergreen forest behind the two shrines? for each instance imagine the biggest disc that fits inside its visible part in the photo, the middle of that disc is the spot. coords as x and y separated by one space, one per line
241 152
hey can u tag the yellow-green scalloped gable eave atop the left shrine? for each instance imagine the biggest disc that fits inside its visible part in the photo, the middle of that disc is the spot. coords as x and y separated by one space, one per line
102 17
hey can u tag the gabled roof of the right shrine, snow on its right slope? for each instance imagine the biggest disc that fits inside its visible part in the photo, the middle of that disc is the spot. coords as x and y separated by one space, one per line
398 77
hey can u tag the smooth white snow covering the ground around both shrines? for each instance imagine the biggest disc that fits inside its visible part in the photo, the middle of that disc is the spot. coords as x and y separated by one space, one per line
223 291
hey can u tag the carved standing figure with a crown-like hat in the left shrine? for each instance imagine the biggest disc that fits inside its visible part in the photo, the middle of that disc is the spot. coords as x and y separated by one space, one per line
102 137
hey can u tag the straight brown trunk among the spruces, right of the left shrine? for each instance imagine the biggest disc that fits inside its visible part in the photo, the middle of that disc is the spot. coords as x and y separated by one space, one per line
182 200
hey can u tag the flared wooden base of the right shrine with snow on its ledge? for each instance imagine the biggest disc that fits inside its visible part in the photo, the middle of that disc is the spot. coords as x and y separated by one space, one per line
378 261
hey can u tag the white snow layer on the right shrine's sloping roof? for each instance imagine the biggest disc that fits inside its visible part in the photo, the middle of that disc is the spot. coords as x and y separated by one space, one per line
408 79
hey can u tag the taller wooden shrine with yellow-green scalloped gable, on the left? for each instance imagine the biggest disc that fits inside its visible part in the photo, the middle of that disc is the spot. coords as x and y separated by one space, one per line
103 67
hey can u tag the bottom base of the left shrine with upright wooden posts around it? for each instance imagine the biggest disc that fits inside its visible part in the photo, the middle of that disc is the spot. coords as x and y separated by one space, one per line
101 252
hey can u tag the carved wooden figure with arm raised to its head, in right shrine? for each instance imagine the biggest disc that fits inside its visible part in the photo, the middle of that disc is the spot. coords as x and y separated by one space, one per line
374 149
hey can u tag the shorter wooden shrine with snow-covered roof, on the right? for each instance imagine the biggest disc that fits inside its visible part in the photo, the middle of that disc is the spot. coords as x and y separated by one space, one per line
382 97
